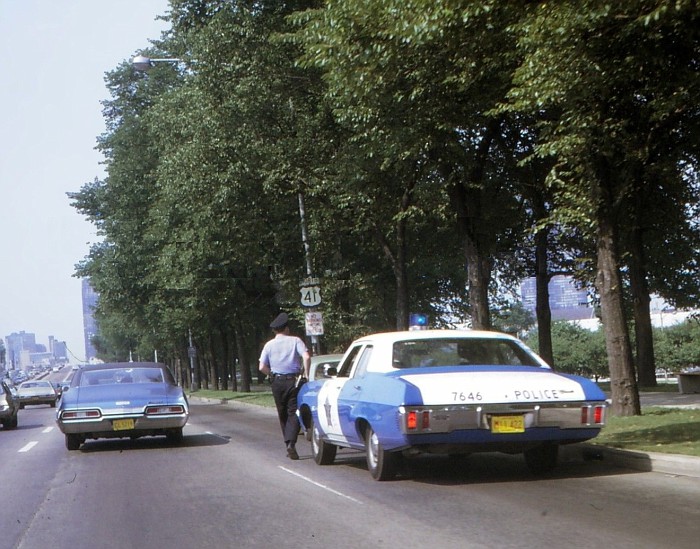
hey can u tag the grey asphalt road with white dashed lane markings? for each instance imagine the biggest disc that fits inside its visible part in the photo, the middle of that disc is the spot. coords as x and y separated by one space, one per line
231 485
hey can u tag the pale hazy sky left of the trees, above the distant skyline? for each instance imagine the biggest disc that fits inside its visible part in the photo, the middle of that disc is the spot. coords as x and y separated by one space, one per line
53 58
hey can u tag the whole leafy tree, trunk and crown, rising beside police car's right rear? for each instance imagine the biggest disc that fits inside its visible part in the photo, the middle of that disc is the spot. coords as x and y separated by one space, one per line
586 63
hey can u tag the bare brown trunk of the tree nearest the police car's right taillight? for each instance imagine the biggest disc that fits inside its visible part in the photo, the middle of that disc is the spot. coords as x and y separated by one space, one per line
623 384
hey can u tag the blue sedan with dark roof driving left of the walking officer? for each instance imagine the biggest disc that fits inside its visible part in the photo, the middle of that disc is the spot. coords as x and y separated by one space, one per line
122 400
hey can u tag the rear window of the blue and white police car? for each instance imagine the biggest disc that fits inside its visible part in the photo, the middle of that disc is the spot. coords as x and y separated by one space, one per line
460 351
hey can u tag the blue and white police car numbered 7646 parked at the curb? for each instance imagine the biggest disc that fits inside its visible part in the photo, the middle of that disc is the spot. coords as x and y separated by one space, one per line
450 392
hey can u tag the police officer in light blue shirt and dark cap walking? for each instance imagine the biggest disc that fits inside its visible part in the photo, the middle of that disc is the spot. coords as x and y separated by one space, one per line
283 357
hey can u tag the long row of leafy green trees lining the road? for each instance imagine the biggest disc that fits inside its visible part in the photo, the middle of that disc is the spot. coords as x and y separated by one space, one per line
441 150
